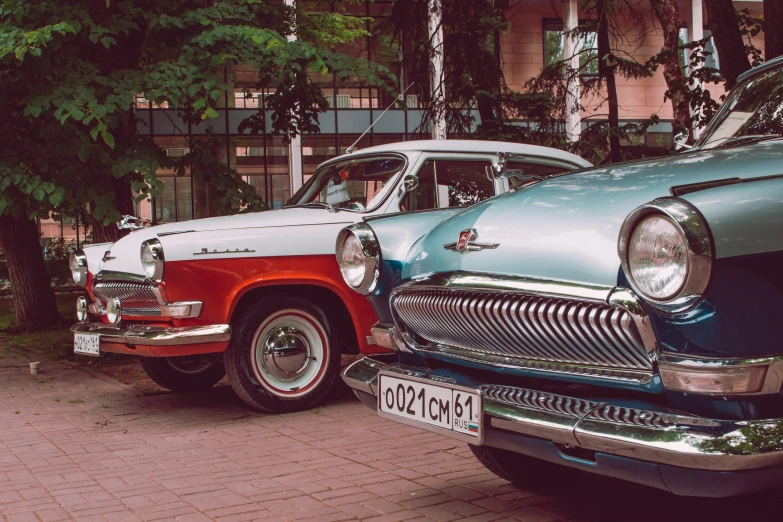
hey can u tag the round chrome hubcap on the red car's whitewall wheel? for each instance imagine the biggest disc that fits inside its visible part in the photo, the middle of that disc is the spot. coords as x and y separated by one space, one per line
286 353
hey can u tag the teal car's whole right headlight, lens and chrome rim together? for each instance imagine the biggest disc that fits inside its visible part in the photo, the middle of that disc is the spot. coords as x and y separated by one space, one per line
666 251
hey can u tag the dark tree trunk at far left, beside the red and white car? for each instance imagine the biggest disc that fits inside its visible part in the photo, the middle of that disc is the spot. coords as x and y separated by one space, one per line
32 291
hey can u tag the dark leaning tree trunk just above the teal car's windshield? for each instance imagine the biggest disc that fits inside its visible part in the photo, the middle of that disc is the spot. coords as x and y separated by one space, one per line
728 39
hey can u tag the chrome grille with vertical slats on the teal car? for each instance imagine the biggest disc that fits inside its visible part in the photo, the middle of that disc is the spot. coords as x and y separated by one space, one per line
527 331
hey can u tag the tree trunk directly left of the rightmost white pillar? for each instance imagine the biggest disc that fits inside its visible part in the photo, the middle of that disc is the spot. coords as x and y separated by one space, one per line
669 15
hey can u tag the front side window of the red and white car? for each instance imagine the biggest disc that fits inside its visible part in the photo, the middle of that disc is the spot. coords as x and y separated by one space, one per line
449 183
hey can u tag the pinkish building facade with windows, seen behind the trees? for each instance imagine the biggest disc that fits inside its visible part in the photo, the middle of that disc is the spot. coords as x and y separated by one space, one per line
276 168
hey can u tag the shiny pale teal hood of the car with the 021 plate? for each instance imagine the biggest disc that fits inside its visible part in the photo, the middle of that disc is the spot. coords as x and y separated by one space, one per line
566 228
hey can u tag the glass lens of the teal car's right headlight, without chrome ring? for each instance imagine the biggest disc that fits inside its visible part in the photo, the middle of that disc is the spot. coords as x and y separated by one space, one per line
658 258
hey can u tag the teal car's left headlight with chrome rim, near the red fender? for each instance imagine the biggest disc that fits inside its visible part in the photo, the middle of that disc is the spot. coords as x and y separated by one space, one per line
358 256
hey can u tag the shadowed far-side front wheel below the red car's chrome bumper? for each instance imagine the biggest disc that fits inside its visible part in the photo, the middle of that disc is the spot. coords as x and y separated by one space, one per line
183 374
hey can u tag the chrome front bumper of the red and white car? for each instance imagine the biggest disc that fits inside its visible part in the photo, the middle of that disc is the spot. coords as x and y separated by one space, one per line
147 335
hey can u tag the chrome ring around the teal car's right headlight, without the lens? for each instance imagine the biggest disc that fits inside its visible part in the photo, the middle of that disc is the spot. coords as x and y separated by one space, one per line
699 251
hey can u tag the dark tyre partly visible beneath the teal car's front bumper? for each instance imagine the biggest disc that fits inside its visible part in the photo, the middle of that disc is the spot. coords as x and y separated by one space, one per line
521 470
